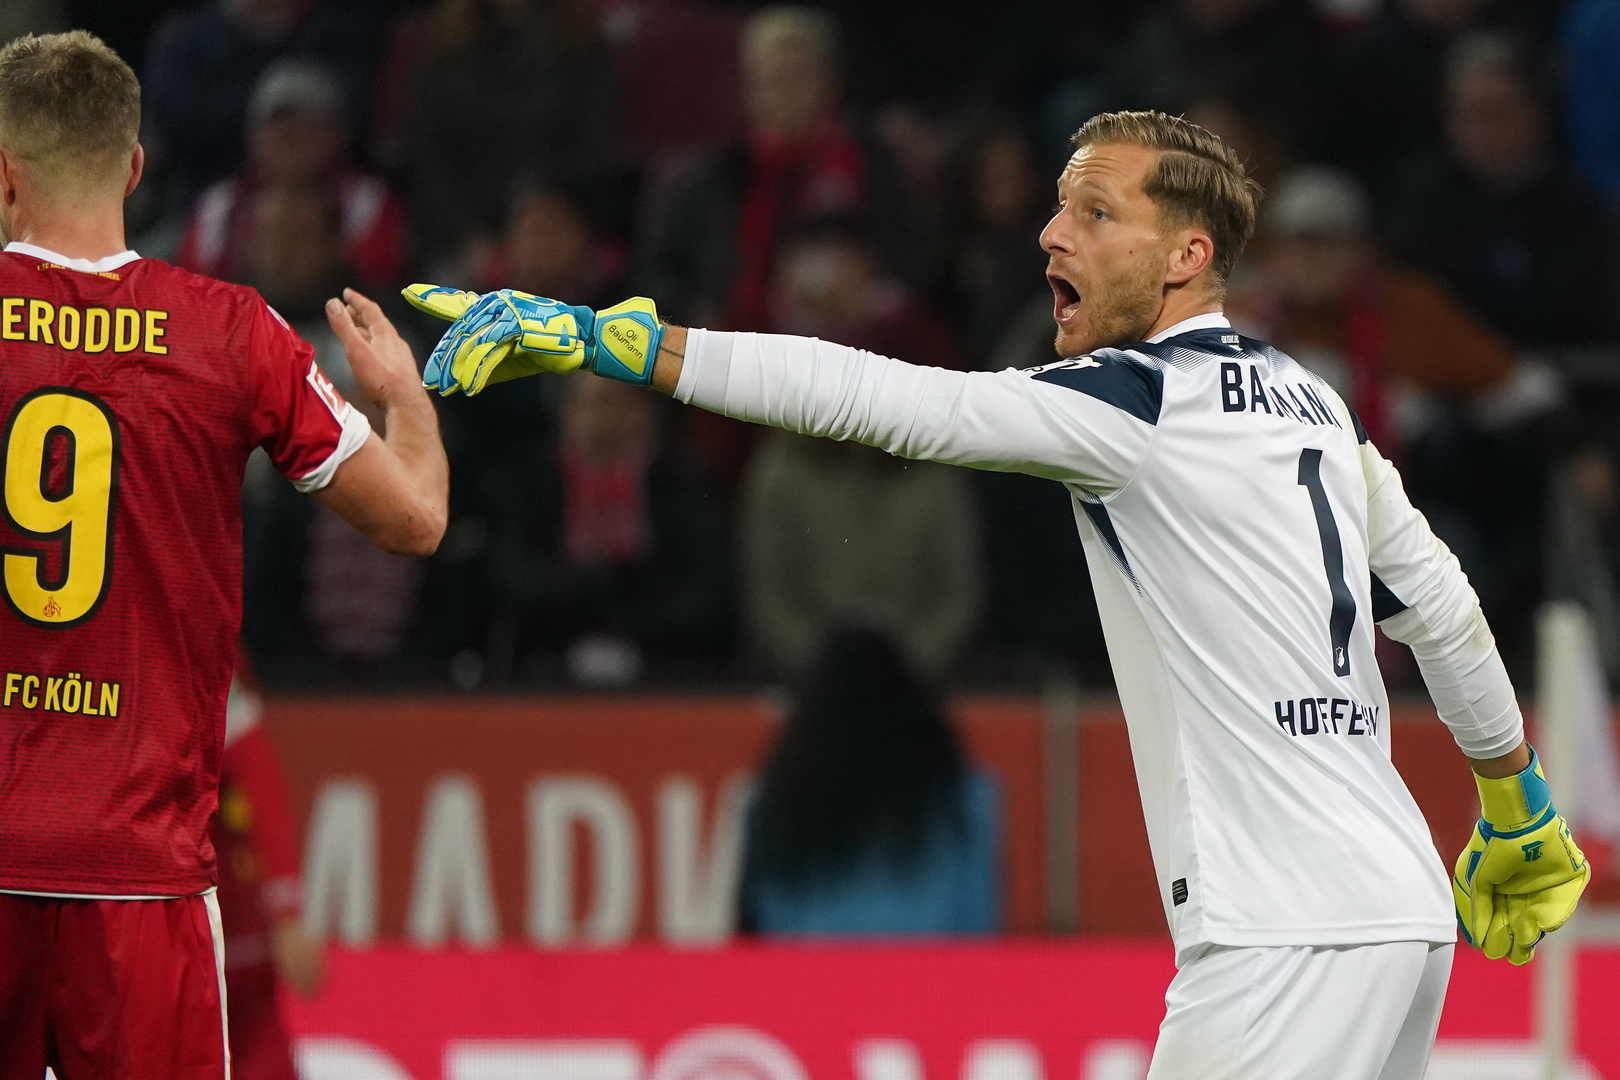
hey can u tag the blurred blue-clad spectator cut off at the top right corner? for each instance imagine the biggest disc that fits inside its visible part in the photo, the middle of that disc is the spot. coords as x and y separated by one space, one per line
1592 41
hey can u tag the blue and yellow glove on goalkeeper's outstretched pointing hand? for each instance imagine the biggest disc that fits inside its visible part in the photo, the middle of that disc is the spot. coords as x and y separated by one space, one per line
508 334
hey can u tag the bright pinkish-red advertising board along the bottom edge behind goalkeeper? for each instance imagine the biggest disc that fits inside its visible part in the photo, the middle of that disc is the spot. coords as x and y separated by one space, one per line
1013 1011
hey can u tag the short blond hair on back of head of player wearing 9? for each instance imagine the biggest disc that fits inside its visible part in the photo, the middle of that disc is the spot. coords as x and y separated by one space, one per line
69 106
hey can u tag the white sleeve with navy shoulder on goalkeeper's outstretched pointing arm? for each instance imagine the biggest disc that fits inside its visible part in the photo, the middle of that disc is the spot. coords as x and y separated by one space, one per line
1076 432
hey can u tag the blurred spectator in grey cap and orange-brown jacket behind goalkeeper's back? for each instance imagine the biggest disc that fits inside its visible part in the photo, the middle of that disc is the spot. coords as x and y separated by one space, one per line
1446 396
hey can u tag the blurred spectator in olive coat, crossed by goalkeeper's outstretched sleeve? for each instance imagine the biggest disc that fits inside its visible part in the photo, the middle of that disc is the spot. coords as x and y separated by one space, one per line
833 530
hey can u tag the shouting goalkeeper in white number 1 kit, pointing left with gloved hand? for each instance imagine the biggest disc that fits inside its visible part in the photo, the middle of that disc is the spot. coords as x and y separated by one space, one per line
1243 538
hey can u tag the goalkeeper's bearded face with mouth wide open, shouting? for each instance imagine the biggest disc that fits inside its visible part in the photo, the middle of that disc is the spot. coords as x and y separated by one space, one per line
1109 255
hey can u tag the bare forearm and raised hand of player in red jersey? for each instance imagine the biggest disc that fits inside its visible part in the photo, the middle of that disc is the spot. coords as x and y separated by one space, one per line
394 491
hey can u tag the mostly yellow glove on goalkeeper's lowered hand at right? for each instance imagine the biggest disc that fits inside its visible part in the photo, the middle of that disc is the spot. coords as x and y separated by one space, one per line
1520 875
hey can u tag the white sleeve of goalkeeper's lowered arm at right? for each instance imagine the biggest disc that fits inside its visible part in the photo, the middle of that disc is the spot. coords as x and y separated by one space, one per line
1439 618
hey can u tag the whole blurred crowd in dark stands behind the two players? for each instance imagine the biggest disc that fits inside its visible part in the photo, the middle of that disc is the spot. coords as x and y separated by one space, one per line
1443 185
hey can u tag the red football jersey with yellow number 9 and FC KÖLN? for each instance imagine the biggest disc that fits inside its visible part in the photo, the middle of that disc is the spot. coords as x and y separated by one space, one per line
132 394
